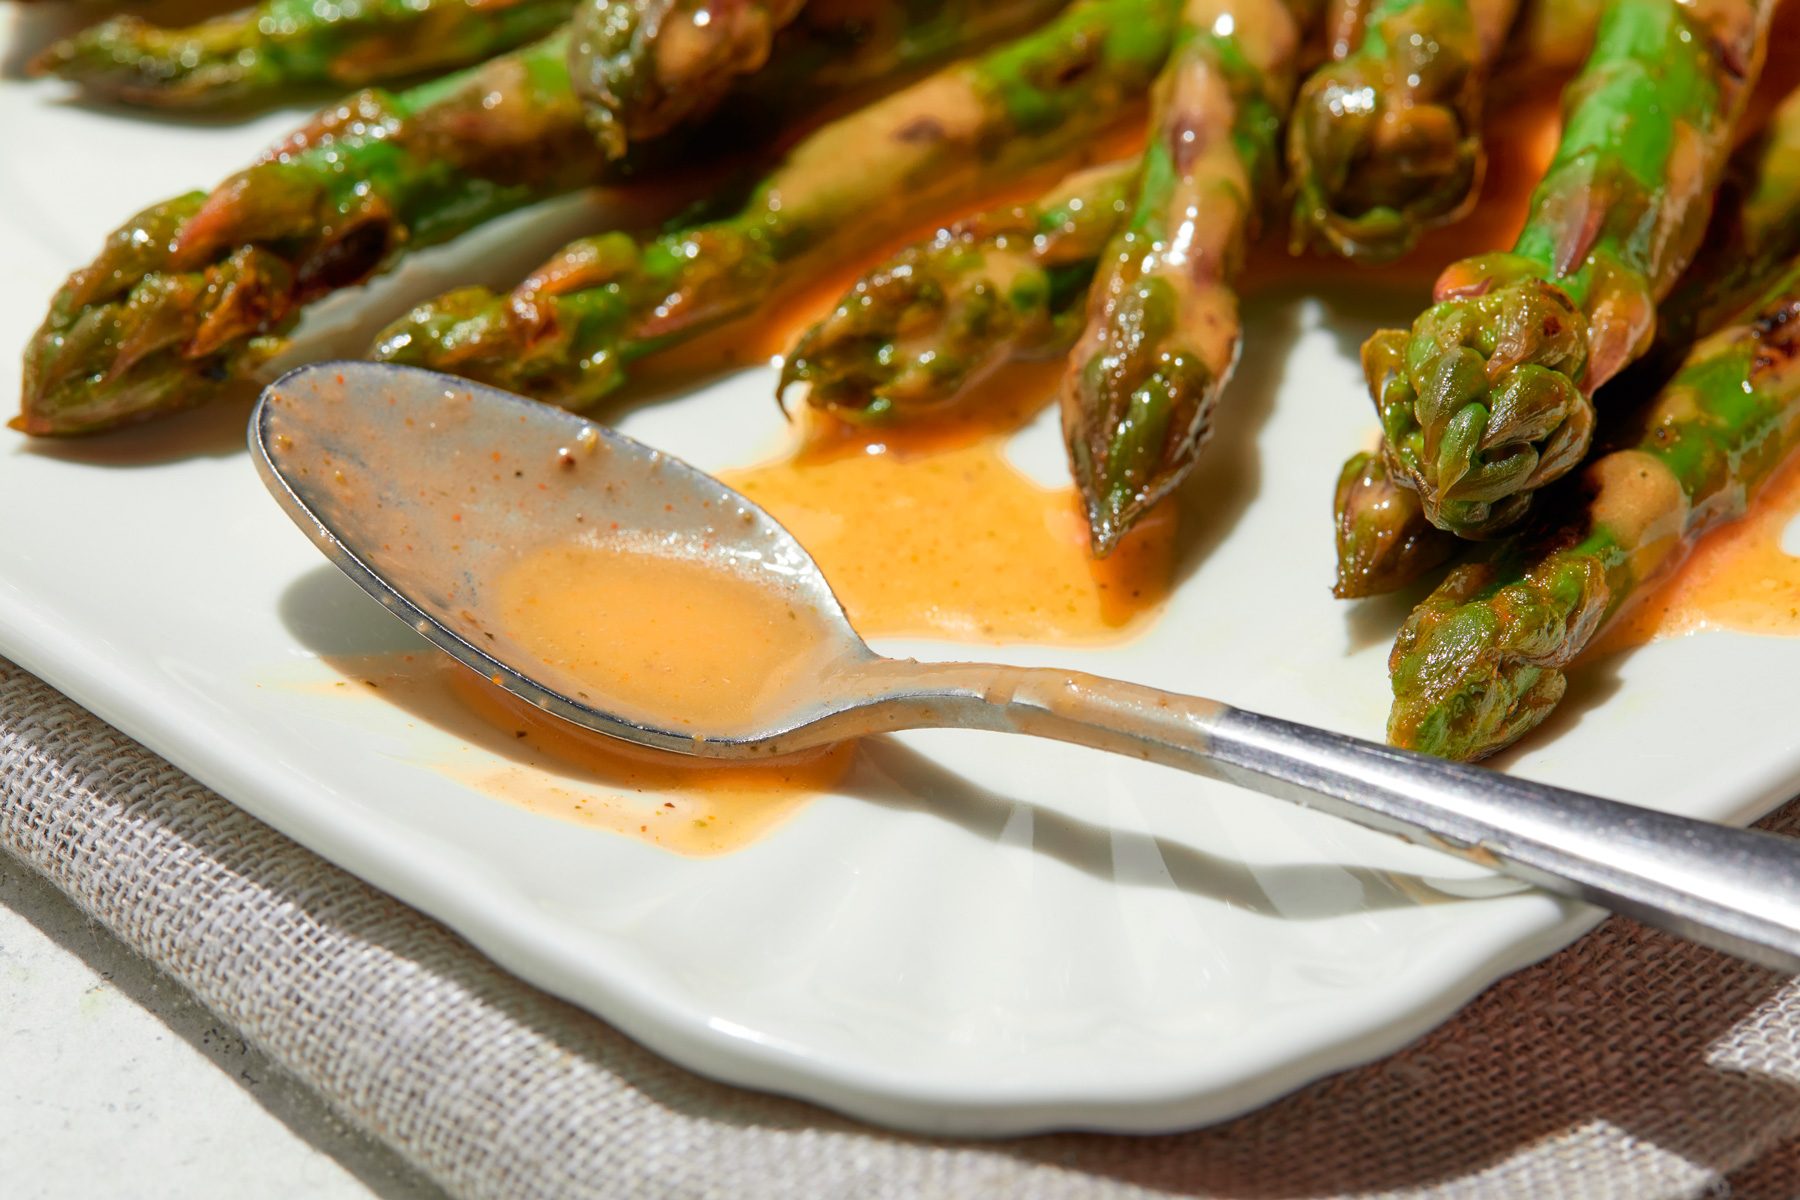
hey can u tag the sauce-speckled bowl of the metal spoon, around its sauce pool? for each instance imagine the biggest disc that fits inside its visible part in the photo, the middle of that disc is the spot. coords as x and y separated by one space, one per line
426 488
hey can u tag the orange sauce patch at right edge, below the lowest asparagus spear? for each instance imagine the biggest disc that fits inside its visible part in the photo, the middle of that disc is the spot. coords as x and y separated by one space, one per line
1738 578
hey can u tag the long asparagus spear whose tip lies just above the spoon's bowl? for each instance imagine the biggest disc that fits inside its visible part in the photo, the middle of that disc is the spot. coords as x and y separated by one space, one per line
570 332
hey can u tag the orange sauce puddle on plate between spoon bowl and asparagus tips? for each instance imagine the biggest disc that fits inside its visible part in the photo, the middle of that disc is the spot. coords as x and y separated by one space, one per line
931 533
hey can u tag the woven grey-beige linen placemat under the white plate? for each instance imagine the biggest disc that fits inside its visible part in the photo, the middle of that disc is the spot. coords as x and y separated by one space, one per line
1628 1066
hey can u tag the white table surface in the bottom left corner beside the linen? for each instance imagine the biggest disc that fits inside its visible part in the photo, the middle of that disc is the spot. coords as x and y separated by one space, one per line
120 1084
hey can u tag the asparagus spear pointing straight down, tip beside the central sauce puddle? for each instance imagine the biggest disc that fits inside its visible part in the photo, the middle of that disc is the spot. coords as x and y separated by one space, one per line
1164 330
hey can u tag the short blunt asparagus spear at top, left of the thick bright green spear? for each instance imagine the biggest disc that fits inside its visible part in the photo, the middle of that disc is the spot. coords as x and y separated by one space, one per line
1387 141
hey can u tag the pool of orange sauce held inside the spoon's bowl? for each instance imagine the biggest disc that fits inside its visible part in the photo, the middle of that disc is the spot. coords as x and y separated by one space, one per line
672 640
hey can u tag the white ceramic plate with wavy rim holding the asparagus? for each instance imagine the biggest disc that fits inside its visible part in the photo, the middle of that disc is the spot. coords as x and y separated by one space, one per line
980 935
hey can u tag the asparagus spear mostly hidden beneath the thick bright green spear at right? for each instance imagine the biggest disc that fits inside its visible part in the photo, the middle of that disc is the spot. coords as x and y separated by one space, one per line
1383 537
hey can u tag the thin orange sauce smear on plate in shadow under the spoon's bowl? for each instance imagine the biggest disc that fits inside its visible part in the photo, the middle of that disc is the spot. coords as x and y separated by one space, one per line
519 755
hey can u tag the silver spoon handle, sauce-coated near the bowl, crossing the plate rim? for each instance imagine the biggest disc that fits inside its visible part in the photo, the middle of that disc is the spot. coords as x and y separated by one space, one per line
1723 888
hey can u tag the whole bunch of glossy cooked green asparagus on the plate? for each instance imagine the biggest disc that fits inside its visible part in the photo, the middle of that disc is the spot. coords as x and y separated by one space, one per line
1128 267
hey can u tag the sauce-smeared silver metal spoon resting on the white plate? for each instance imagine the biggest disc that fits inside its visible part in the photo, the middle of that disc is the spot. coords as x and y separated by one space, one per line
395 476
